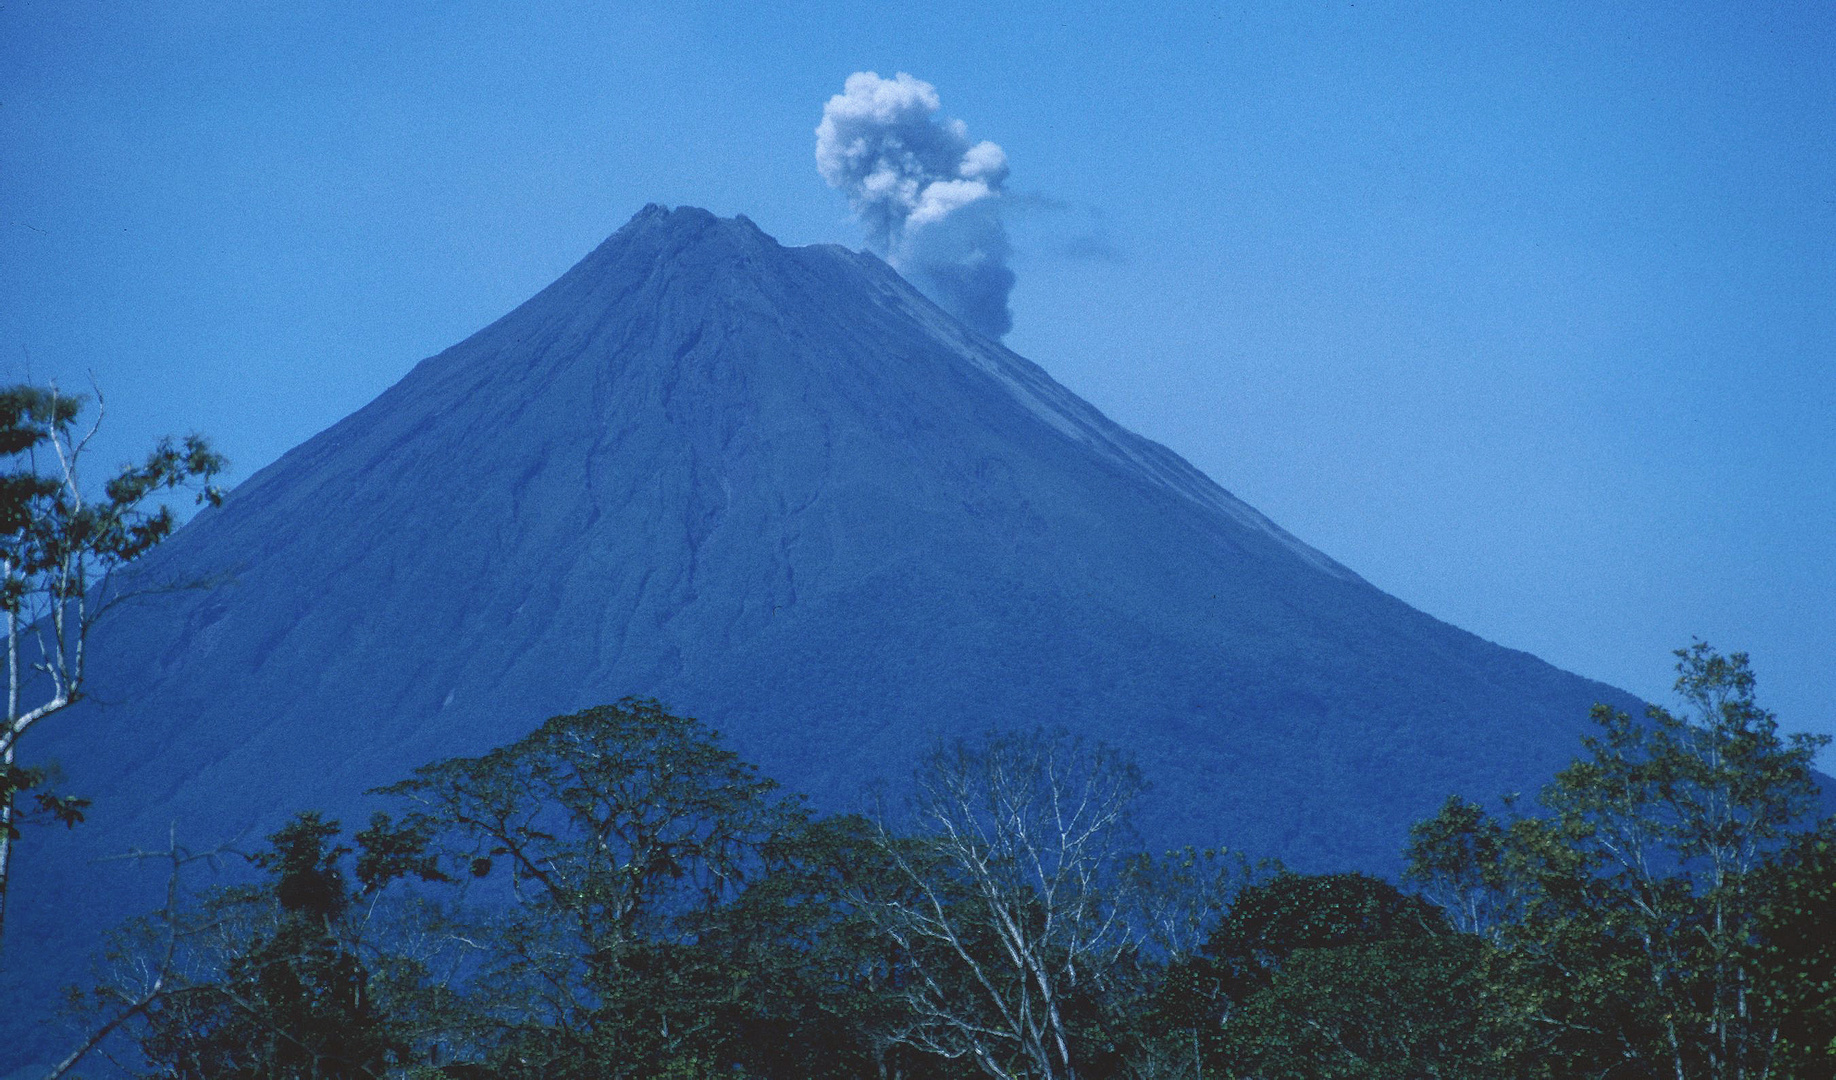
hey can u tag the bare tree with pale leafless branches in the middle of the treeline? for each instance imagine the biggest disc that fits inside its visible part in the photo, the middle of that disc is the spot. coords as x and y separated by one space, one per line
1011 899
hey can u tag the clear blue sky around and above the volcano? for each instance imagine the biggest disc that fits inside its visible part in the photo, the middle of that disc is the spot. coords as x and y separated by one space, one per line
1523 311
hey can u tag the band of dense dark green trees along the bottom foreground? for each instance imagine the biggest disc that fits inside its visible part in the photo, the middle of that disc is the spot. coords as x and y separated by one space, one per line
620 895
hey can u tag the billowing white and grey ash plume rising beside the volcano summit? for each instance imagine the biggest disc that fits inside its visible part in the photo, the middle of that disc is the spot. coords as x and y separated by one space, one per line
930 197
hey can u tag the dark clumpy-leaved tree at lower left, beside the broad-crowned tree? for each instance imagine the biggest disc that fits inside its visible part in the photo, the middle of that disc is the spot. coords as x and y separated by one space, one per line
293 978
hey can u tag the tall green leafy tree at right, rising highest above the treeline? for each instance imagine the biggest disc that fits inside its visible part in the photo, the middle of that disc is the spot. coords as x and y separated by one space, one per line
1629 910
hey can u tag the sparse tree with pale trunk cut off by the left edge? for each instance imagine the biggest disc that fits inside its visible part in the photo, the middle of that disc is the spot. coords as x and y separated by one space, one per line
62 546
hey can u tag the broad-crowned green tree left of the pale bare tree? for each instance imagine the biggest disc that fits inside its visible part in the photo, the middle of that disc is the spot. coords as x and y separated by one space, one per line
599 844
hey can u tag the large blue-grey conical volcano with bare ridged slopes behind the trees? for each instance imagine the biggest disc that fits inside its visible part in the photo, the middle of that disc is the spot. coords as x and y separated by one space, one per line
785 493
